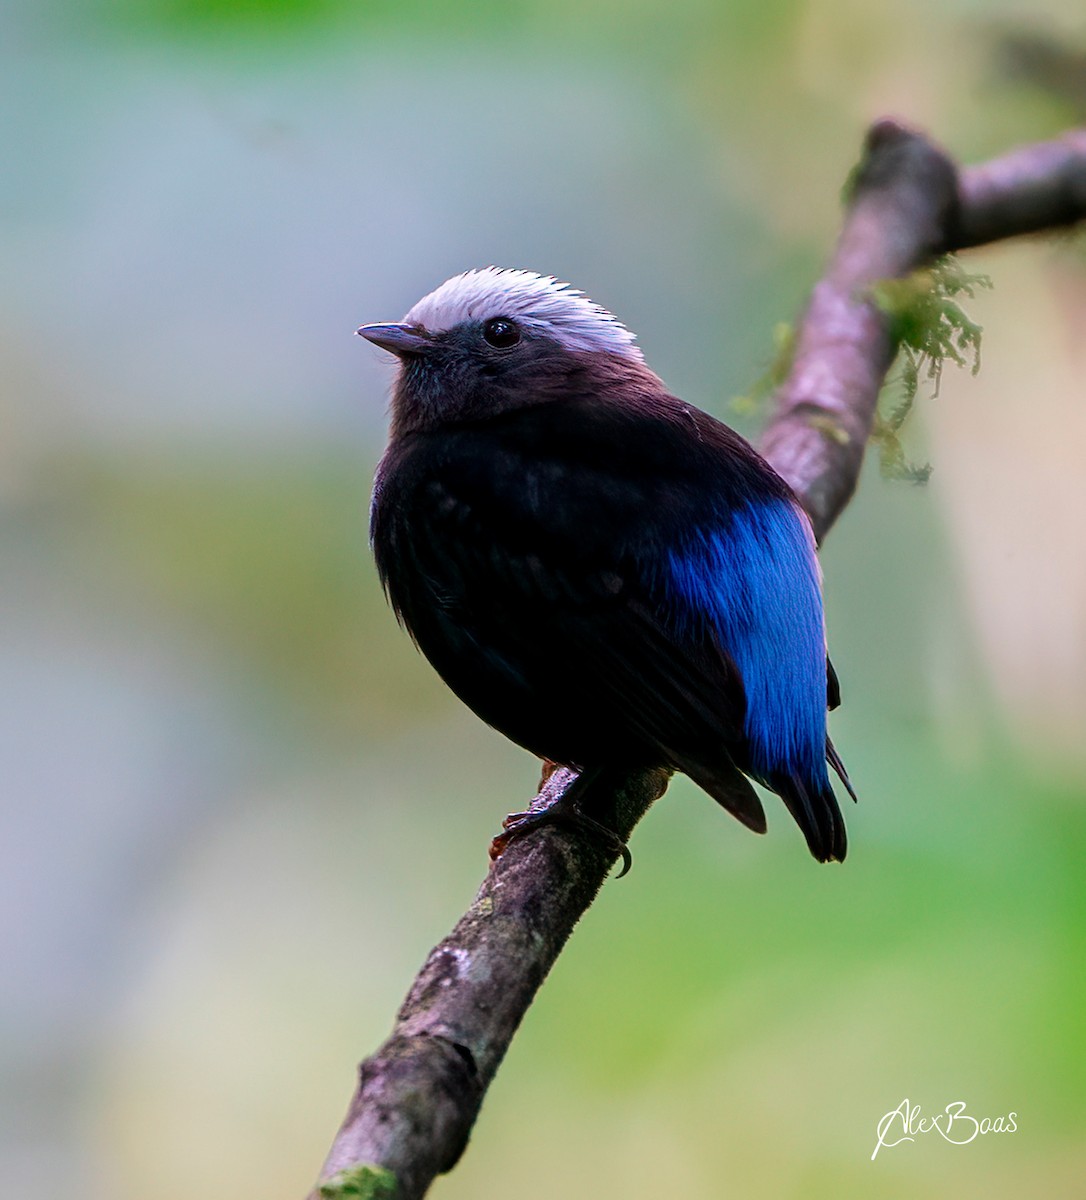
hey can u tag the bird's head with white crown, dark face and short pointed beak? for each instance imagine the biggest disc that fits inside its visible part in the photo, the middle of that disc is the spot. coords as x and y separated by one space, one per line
494 340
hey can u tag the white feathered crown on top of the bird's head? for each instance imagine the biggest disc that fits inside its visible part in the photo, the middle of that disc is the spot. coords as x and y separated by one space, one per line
538 302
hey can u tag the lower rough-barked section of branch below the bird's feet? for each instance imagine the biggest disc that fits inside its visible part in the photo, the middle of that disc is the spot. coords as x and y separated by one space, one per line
419 1095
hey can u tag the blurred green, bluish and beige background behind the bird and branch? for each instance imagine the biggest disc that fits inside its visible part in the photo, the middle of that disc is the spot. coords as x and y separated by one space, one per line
238 809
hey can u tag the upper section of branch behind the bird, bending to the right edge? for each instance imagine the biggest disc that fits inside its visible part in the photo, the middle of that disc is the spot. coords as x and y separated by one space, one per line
909 205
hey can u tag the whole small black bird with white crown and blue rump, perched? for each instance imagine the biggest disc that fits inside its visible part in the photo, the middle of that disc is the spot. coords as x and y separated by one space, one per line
609 577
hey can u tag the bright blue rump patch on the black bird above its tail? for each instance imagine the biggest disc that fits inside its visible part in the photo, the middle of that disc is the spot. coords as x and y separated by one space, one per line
754 577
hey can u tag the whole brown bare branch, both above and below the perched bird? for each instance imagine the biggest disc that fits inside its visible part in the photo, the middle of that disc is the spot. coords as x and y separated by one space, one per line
419 1095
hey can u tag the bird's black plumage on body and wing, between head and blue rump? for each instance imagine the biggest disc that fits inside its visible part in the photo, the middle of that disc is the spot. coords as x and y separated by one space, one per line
524 554
